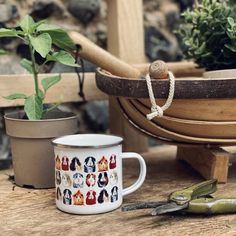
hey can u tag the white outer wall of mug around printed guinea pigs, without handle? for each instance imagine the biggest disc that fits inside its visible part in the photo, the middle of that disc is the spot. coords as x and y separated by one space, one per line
82 154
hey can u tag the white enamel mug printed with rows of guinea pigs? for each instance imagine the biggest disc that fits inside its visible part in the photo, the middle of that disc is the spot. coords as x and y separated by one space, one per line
88 173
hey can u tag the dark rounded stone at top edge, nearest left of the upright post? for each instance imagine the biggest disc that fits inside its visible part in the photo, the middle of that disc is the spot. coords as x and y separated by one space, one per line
84 10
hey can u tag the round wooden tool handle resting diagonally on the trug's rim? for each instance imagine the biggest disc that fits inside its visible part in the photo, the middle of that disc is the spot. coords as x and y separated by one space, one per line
91 52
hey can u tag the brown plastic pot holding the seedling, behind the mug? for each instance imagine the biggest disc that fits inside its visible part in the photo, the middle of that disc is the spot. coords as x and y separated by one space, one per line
32 151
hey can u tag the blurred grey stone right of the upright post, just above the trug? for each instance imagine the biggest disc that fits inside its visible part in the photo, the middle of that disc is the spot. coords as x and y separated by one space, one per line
160 44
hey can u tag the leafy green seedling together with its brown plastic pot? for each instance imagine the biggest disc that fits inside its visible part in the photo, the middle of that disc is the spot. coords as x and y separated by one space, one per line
31 131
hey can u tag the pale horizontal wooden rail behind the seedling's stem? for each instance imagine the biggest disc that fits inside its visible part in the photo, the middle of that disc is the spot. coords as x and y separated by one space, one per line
65 91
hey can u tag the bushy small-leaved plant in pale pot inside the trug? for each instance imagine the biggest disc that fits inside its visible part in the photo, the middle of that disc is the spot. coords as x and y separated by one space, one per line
209 34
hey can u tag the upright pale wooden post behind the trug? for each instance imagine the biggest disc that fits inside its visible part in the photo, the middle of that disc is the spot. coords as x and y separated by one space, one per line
126 41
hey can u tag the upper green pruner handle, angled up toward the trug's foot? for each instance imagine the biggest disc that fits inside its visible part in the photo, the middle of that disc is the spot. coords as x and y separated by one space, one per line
202 189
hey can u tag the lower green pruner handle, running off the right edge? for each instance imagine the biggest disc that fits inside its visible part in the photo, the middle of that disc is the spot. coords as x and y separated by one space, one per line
211 206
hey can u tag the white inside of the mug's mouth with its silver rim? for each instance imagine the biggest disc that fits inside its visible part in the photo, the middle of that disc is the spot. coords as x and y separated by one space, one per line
88 140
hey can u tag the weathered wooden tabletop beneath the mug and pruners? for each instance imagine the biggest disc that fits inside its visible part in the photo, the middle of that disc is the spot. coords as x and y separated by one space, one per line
33 212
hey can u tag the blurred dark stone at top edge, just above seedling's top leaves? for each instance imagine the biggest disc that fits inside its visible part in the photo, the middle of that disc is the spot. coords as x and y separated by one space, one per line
42 9
